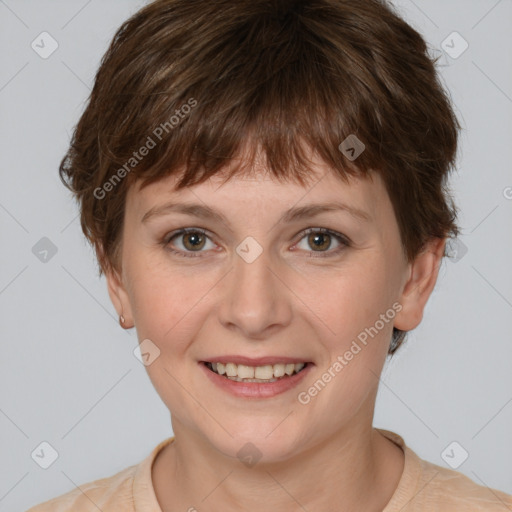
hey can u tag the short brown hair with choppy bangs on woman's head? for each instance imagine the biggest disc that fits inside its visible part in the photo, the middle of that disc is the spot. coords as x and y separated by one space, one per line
280 76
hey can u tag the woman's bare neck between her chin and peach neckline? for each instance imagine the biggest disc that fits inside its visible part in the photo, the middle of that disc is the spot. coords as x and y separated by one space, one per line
358 469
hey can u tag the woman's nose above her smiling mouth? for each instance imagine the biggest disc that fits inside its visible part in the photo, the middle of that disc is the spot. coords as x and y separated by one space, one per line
255 300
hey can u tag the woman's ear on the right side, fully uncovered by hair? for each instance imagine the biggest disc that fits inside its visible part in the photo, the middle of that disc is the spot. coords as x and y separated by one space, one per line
423 272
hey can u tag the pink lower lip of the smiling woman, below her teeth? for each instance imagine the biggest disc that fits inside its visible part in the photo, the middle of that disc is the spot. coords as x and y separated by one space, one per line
256 389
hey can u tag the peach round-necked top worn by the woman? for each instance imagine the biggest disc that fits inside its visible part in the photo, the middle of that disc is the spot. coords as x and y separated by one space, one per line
423 487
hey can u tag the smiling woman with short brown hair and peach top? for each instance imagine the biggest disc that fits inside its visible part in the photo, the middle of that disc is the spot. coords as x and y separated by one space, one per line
264 185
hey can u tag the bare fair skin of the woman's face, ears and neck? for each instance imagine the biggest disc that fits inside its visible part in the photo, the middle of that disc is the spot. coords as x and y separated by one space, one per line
290 301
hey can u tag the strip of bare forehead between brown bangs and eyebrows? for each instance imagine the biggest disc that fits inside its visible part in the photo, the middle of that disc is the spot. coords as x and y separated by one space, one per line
259 191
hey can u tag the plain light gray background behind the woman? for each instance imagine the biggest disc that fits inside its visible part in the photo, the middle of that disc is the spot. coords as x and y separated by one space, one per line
68 373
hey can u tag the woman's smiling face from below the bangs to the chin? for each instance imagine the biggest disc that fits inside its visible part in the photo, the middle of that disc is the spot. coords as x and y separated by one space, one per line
266 275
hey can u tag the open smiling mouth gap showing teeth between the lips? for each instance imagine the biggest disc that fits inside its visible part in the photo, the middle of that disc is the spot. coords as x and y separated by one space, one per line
257 374
